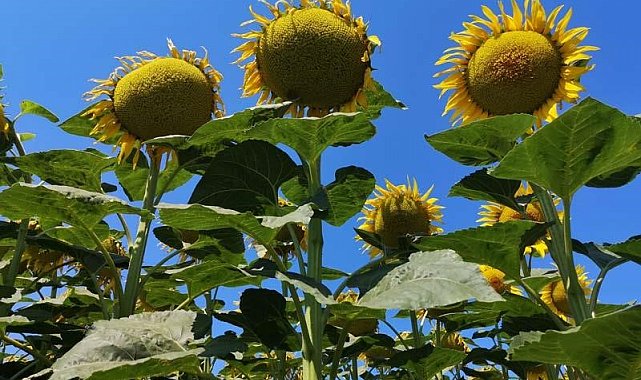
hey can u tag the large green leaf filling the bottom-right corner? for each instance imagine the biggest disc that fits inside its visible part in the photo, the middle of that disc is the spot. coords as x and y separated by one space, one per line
607 347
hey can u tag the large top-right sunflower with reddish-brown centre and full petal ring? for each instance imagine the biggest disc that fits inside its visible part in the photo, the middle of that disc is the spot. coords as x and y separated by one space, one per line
523 63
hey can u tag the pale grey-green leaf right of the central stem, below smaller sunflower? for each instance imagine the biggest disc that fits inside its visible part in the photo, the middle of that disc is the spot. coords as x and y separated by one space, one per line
429 279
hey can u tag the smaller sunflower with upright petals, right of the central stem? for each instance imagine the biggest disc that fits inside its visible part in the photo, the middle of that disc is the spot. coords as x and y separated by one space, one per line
397 211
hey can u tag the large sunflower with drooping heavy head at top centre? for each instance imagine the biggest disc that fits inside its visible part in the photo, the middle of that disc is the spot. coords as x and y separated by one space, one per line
316 55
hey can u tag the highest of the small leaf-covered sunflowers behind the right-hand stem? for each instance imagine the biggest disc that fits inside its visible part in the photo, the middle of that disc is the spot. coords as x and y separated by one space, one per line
492 213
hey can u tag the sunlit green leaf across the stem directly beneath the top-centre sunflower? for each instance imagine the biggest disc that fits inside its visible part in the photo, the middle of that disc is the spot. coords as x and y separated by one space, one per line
309 137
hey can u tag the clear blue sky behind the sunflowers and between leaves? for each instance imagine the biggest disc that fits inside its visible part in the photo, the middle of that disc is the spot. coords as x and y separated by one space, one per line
51 49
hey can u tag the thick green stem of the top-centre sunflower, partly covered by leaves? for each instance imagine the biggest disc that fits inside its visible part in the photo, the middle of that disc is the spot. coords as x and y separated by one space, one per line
312 366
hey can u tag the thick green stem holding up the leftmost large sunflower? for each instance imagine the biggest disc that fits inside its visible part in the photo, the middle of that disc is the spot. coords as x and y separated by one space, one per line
137 251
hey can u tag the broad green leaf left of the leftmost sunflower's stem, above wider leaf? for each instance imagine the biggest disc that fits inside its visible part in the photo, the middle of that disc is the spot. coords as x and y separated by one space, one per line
66 167
